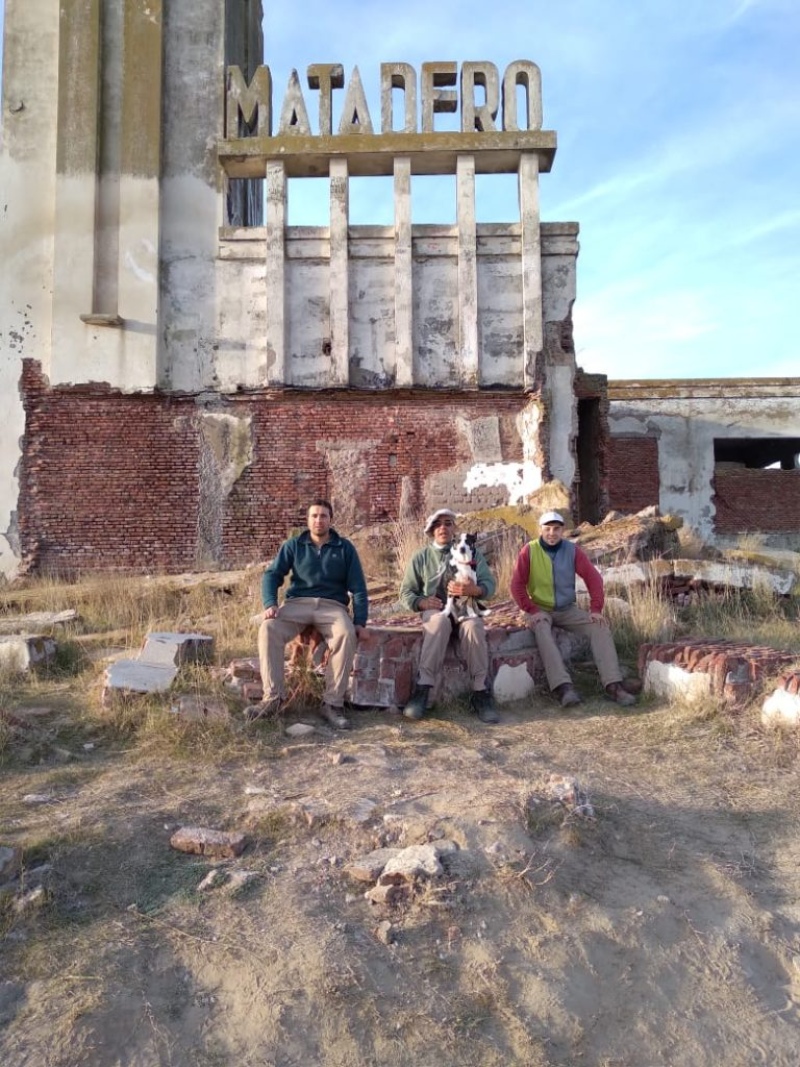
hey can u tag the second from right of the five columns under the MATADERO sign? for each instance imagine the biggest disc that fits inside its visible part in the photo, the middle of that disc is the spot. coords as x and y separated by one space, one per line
468 272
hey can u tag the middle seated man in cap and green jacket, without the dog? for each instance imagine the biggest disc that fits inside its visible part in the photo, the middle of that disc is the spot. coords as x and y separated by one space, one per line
426 588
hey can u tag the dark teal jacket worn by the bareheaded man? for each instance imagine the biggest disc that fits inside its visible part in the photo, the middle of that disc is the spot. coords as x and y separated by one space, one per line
332 571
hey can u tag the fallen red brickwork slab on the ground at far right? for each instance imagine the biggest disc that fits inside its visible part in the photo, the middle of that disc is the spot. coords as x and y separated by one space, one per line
734 668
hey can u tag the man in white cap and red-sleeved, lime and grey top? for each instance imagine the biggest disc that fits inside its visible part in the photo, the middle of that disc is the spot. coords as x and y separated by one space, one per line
543 586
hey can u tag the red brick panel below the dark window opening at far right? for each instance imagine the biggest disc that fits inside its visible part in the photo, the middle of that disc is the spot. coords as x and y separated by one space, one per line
748 499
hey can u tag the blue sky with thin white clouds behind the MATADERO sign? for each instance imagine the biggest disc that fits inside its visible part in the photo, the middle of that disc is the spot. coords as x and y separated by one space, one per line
679 130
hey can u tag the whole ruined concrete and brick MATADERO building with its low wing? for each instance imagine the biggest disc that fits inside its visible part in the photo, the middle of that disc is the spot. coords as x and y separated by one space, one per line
182 371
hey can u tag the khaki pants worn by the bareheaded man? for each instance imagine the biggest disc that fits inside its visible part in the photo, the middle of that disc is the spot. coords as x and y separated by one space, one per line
332 620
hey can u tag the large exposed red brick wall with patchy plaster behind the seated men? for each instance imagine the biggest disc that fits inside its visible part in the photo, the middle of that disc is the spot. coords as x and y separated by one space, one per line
113 482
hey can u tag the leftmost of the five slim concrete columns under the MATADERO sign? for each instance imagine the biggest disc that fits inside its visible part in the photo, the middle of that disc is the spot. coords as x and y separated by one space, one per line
277 363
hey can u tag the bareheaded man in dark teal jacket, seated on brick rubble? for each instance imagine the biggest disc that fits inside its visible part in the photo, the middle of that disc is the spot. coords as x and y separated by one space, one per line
326 571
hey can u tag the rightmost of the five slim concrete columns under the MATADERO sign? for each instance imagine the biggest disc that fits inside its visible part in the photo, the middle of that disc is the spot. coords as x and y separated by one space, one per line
532 267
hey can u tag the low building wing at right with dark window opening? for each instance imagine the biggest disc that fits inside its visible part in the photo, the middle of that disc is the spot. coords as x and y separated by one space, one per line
724 455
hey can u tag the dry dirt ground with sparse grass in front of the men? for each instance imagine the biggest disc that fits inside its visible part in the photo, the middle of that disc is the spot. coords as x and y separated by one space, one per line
664 932
